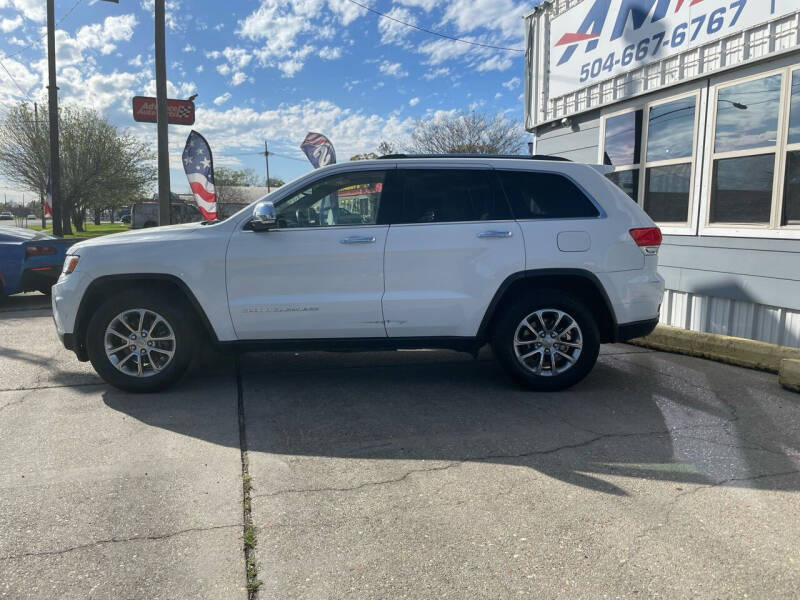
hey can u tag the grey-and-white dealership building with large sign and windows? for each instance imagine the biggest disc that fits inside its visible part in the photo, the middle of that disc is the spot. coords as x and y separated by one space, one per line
694 105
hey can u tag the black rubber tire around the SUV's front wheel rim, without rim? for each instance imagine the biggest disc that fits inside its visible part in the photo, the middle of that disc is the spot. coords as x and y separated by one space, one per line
173 310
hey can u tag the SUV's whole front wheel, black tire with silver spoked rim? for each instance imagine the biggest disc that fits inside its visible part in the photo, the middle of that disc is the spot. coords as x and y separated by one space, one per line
141 342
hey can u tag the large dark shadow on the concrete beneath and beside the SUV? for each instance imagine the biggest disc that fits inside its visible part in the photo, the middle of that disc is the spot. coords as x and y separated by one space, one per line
638 415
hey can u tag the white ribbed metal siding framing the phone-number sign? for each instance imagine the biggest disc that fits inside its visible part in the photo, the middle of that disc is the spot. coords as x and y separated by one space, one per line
750 45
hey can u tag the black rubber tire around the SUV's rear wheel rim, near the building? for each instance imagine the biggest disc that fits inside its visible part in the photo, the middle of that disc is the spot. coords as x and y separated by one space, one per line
504 337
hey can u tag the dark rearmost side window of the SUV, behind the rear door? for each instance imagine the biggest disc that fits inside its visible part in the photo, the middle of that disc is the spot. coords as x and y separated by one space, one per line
545 196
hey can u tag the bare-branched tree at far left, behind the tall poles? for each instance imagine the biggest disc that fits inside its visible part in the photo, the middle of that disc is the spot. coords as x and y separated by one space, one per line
100 168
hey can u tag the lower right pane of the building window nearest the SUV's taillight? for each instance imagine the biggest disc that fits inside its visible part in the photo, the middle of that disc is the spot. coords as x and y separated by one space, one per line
667 192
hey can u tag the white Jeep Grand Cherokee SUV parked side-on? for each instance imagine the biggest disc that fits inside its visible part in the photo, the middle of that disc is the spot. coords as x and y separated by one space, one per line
543 259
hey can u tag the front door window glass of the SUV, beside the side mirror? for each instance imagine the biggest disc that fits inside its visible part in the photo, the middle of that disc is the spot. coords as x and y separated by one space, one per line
348 199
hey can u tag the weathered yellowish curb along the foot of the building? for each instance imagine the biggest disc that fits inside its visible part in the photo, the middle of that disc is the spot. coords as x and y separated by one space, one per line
723 348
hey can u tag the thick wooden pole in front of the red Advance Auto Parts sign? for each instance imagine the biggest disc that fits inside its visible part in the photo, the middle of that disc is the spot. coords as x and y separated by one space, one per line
161 110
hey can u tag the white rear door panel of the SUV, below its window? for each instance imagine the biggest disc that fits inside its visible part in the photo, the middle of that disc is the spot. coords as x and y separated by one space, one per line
441 277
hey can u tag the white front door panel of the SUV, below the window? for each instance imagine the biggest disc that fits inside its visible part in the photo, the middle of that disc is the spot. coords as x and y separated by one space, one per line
322 282
